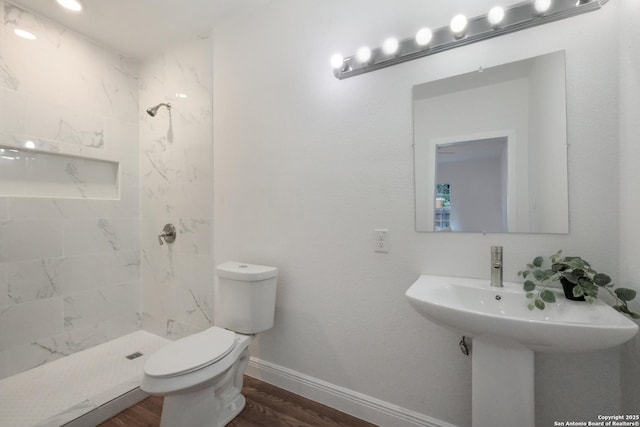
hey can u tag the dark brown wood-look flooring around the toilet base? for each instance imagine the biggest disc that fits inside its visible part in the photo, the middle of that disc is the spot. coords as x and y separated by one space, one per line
267 406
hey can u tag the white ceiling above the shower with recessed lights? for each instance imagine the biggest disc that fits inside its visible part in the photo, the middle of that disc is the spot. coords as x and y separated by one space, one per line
140 28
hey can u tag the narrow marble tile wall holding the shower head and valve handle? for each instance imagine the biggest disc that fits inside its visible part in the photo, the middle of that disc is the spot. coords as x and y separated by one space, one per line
176 175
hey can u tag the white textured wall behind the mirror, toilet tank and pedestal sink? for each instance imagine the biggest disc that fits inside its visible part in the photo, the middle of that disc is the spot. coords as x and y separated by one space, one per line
305 166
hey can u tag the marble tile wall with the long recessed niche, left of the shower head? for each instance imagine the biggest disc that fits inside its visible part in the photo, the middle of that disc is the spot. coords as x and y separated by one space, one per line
69 268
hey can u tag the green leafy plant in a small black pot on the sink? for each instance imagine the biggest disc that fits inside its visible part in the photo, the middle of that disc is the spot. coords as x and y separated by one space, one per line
571 271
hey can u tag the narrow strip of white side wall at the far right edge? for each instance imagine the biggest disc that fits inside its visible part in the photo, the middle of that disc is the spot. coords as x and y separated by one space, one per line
629 179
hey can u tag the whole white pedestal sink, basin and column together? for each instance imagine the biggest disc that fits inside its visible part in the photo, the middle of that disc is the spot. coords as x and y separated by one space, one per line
505 335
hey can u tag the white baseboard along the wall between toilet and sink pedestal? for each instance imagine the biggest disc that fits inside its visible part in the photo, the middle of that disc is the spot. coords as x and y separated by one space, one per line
351 402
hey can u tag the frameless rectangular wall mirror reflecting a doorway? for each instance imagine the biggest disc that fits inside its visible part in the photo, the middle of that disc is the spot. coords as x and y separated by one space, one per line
490 149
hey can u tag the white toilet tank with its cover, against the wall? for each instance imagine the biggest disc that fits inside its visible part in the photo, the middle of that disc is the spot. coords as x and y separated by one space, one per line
247 295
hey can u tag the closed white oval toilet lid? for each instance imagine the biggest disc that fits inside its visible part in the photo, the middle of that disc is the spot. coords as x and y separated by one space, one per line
191 353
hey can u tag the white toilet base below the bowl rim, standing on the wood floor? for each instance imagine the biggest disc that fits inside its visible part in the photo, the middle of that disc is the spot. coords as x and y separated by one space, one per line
212 406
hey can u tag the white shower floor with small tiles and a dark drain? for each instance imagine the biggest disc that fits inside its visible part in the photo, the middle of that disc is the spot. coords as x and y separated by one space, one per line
58 392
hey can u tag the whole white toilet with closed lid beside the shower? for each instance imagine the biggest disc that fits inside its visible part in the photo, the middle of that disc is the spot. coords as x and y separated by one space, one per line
200 376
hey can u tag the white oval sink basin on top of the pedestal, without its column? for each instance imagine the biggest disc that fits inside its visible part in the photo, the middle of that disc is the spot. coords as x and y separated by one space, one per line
474 308
